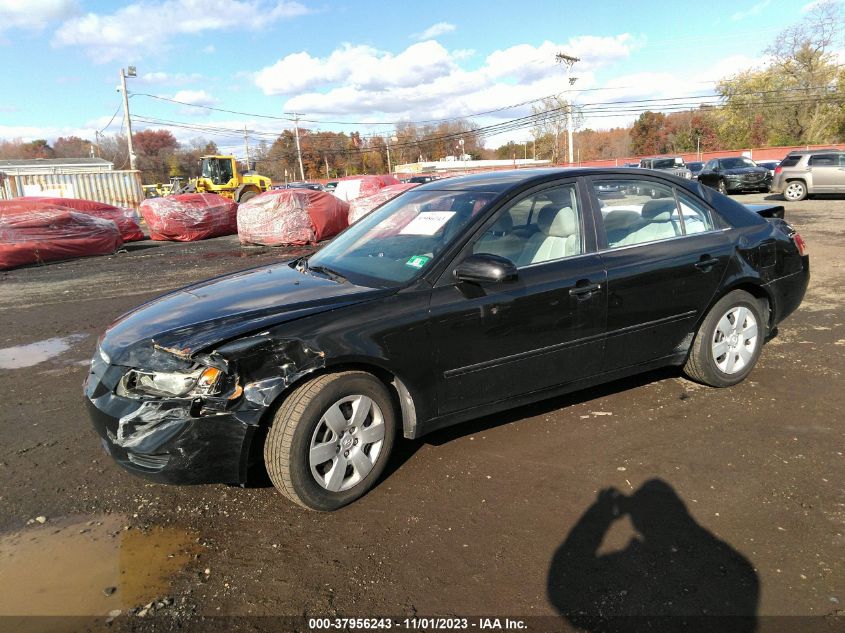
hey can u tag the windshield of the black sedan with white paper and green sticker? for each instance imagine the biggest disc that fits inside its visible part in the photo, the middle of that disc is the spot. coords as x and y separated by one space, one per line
399 240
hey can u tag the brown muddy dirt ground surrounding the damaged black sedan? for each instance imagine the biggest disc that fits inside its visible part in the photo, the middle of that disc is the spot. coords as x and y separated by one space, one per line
466 521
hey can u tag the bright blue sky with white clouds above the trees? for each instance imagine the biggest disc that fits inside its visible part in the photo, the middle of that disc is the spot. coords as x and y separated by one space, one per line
362 65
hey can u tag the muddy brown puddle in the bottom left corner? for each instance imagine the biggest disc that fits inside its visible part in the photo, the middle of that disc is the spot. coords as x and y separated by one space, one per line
64 568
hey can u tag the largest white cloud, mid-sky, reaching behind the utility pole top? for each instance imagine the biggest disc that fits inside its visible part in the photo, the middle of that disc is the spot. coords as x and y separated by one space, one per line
427 81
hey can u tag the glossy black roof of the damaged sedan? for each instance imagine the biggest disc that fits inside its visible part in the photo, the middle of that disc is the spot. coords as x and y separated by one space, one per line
503 181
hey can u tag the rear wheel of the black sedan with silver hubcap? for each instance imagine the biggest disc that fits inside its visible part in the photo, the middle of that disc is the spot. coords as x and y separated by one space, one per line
729 341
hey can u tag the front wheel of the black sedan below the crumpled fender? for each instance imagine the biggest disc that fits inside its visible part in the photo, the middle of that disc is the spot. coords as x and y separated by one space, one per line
331 439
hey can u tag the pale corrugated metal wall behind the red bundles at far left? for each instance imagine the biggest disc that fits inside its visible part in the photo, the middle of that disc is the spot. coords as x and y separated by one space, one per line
120 188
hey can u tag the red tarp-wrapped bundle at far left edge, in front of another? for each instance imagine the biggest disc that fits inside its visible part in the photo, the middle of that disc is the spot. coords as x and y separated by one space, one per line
51 233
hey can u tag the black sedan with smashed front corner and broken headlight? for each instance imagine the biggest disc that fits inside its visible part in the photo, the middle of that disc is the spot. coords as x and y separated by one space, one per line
457 299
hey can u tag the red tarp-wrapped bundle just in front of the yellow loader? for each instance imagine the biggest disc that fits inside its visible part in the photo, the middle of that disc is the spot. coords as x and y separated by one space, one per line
189 217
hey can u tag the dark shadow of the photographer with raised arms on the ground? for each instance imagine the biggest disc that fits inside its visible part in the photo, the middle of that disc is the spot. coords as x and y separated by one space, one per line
673 575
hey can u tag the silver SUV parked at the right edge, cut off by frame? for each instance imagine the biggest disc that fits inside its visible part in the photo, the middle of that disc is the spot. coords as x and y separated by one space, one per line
808 172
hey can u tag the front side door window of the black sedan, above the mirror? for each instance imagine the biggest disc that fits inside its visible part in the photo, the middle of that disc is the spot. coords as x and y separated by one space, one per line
542 227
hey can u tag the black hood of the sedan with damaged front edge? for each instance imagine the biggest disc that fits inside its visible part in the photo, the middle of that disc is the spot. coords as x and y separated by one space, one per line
204 314
